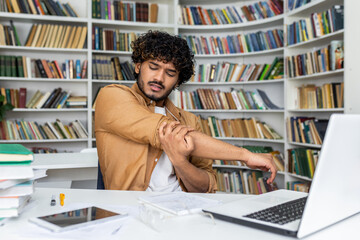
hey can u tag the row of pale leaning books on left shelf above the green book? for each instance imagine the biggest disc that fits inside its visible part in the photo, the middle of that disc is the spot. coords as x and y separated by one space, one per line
30 130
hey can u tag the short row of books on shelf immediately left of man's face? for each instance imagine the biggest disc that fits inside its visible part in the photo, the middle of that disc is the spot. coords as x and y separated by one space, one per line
110 68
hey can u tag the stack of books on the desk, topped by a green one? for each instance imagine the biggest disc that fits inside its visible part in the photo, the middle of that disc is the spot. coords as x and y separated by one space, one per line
16 179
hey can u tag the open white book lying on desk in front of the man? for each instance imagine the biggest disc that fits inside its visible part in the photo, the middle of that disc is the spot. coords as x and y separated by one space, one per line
178 203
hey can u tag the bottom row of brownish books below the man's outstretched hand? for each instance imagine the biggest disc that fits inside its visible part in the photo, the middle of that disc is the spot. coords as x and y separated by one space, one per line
243 181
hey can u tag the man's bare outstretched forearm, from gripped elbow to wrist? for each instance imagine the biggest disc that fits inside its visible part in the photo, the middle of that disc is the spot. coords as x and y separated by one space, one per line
209 147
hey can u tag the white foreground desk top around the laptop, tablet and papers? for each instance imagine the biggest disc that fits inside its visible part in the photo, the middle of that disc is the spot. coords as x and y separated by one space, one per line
184 228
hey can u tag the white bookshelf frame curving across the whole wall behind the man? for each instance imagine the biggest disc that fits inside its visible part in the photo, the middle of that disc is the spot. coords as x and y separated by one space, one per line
281 91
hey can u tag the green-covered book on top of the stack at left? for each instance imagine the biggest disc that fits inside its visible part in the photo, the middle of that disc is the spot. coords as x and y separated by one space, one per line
14 152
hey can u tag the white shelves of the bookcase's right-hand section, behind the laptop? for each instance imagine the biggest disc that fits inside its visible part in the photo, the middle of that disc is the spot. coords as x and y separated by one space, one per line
315 78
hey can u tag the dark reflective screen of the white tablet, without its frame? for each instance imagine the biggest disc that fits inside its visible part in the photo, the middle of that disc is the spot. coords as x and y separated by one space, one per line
78 216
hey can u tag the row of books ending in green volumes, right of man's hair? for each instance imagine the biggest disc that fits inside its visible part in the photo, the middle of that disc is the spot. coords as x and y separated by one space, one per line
234 72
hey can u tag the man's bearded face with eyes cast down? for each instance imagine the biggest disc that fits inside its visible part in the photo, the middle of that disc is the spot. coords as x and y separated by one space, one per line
156 79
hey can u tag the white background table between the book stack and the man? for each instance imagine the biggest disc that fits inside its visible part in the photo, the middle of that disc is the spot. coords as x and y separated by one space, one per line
67 169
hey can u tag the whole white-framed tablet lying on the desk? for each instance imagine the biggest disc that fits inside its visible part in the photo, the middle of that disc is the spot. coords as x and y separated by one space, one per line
73 219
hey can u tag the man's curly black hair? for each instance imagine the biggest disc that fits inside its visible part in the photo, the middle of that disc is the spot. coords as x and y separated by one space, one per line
166 48
